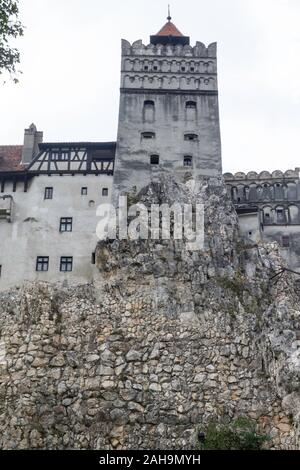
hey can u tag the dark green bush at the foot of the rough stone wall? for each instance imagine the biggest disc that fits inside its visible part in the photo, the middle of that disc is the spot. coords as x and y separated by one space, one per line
239 435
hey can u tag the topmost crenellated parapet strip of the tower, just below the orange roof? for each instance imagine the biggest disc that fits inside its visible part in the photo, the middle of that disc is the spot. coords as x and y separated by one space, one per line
137 48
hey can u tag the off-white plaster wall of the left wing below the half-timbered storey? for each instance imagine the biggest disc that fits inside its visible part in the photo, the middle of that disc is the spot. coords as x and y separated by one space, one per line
22 240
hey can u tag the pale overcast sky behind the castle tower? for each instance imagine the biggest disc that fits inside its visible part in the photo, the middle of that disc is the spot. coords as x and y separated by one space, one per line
71 71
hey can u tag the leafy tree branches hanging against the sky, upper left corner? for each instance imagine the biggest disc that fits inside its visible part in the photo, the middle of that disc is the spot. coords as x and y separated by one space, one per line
10 28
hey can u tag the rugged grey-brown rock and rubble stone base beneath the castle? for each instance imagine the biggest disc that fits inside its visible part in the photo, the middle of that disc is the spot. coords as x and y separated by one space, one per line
165 341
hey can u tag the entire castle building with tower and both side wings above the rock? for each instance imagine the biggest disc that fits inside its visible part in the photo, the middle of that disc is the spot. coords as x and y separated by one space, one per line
168 121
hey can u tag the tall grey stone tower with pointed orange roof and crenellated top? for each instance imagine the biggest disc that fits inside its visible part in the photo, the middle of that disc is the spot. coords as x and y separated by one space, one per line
169 113
